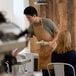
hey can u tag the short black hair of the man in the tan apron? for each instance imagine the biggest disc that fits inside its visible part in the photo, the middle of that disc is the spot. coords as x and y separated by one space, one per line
30 11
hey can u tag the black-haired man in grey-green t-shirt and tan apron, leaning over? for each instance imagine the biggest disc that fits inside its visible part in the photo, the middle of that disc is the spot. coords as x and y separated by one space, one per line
45 31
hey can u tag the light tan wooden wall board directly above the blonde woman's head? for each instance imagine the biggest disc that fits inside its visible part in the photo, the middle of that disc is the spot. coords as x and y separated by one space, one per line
61 6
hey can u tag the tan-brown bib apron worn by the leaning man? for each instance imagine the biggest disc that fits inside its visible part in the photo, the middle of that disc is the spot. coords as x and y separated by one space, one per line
44 51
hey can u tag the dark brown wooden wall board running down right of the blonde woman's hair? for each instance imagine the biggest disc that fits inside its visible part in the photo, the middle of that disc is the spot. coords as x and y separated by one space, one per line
70 25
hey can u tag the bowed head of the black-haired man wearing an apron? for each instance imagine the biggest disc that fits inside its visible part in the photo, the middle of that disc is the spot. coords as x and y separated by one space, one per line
30 13
